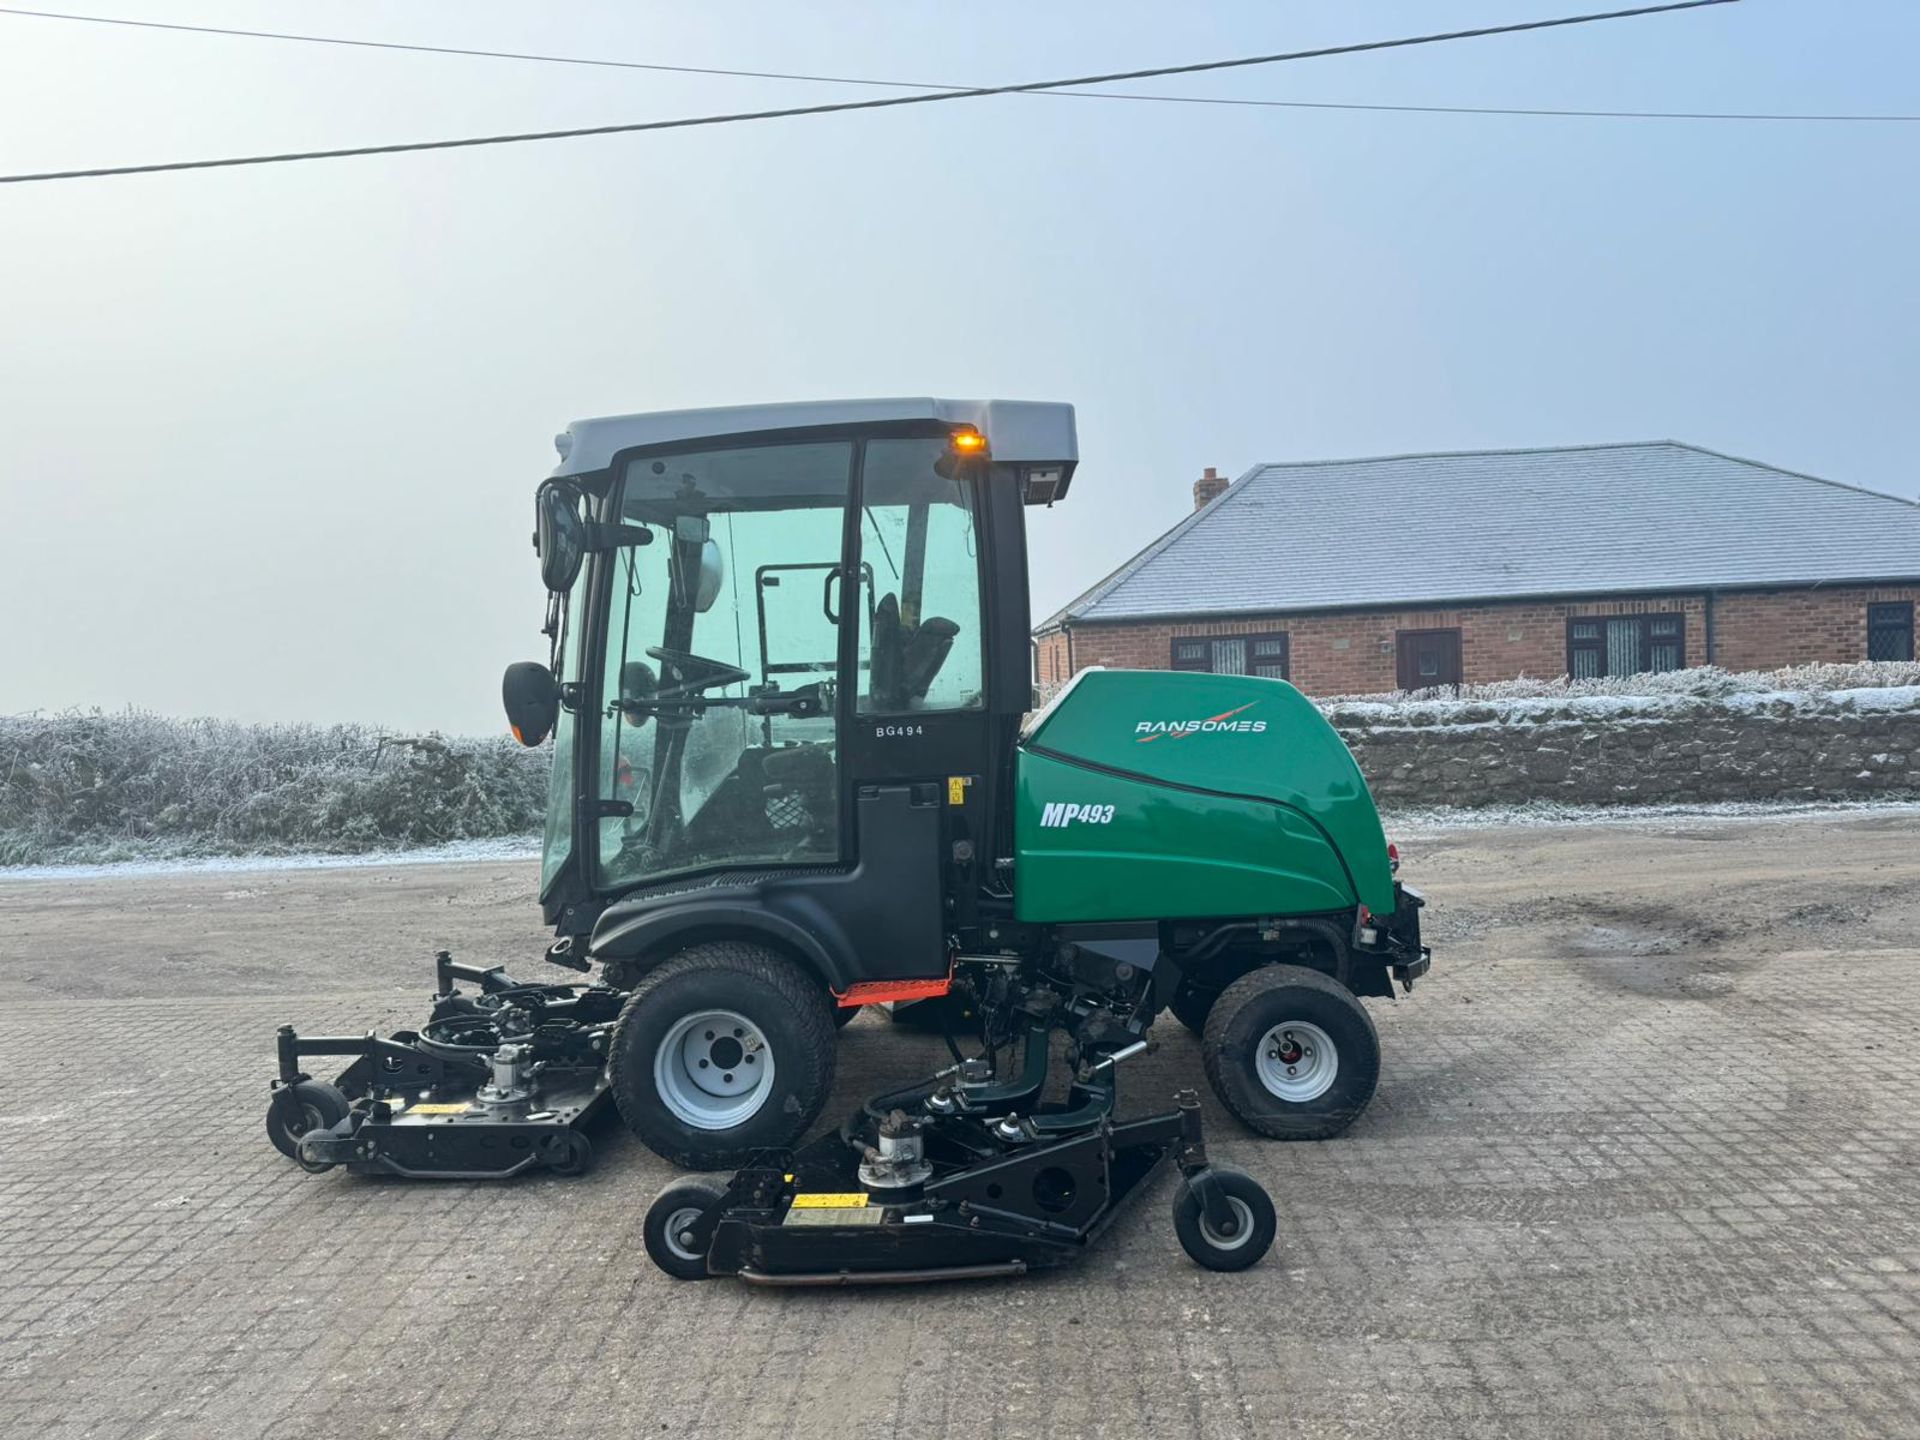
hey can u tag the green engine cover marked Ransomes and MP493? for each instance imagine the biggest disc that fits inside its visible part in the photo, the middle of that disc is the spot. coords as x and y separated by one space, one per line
1163 796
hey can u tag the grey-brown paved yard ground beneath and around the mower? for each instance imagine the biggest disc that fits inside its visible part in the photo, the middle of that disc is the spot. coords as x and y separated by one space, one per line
1644 1161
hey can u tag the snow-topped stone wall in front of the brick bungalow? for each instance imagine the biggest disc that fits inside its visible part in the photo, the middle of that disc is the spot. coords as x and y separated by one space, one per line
1848 746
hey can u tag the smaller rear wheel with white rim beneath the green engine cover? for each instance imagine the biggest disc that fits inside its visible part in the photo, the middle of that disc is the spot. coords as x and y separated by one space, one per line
1293 1053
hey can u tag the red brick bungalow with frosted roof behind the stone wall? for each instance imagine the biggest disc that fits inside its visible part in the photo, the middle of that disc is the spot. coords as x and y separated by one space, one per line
1414 571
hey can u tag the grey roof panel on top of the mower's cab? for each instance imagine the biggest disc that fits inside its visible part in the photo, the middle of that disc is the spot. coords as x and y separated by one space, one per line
1019 431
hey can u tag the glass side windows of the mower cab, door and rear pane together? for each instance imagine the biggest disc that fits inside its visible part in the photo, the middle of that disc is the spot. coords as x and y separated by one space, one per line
763 600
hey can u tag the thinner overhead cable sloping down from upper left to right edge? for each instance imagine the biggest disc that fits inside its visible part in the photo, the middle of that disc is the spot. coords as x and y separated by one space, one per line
1537 112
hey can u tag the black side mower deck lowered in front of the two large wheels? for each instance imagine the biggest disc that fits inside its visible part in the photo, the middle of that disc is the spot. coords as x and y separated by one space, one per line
953 1182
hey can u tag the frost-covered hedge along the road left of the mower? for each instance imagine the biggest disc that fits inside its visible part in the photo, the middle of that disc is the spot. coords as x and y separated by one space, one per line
87 788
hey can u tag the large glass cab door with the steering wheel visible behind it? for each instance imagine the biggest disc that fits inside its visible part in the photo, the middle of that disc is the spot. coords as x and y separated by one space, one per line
721 677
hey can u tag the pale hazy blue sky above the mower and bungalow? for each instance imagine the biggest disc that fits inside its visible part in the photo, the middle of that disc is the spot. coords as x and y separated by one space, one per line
268 437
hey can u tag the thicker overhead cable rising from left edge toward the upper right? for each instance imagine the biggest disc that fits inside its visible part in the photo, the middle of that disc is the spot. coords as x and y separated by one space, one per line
884 103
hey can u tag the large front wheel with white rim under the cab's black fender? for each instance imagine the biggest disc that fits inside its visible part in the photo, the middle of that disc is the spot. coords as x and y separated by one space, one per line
723 1051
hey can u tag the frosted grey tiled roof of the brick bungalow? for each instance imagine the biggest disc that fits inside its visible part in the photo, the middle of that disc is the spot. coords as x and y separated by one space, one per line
1500 525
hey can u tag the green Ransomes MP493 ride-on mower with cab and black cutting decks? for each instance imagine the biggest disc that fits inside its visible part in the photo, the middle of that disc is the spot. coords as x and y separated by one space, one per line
796 773
